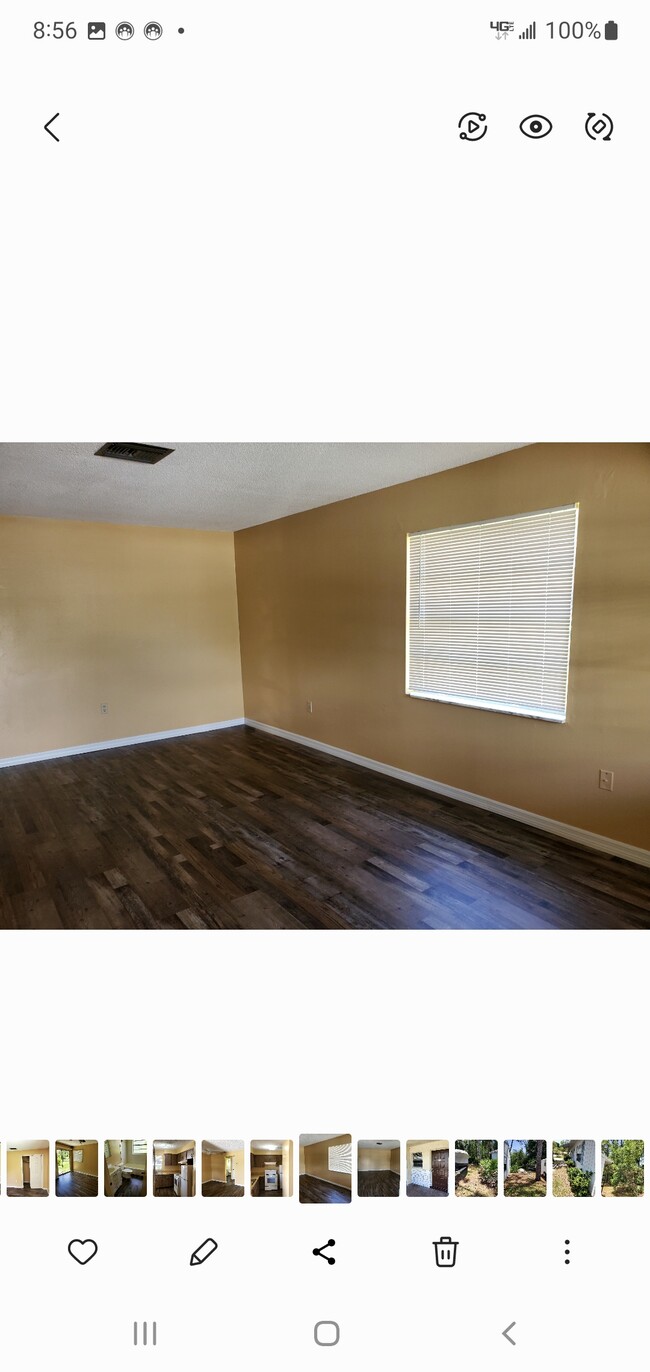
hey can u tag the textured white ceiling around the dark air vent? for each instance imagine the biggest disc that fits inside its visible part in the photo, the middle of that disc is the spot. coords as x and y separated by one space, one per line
212 486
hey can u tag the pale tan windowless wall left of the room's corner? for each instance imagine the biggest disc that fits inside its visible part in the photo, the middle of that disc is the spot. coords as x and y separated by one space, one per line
145 619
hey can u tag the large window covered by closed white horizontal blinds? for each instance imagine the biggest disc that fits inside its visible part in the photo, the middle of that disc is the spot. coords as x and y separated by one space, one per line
489 614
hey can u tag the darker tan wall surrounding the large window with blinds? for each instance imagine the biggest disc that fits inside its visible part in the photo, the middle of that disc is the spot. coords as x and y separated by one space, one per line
322 602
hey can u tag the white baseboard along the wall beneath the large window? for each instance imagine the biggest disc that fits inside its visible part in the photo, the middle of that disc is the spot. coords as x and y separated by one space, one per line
525 817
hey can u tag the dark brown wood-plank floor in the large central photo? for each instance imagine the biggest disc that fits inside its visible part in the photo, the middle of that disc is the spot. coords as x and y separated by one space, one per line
243 831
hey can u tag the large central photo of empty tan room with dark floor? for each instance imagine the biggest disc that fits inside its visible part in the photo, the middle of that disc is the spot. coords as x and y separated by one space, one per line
324 687
